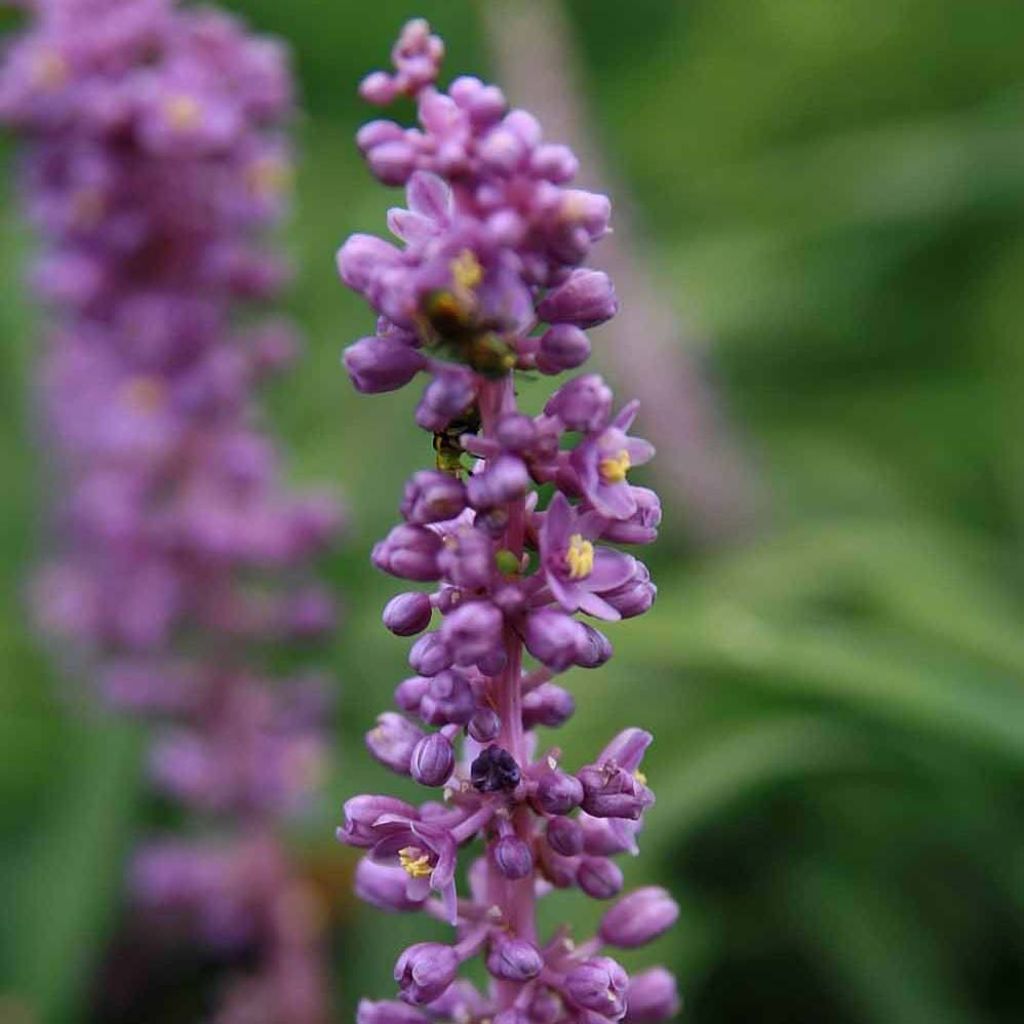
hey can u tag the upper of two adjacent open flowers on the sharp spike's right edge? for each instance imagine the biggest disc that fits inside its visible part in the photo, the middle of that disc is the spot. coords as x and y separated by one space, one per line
604 460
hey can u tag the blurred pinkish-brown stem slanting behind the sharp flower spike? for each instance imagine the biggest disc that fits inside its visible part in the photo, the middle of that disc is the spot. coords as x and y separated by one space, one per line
647 347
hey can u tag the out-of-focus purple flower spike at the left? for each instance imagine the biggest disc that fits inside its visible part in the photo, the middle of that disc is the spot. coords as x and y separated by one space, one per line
154 161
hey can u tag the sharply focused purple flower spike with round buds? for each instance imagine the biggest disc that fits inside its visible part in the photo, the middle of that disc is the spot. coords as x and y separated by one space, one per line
486 286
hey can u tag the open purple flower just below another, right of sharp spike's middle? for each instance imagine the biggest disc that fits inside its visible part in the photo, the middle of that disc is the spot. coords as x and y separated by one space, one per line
576 572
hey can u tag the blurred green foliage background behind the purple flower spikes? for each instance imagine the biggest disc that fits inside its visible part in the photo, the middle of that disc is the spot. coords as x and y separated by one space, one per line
834 192
